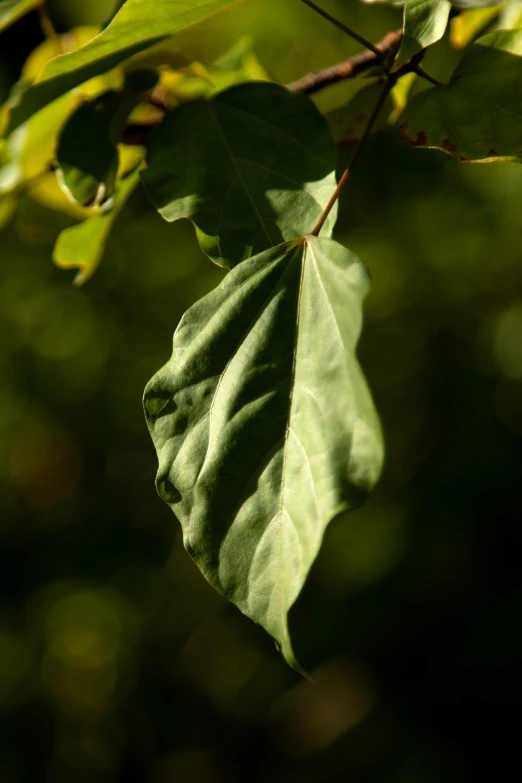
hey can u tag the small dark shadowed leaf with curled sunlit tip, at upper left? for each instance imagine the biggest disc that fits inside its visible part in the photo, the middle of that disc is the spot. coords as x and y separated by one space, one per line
87 155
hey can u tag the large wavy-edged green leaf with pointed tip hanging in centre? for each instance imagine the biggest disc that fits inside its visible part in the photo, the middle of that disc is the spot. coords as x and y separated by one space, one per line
264 426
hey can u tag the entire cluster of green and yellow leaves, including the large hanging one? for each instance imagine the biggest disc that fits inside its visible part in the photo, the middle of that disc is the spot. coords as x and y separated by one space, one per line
264 426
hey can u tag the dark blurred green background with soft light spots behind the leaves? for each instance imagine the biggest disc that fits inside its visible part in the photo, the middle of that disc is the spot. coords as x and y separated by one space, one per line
118 663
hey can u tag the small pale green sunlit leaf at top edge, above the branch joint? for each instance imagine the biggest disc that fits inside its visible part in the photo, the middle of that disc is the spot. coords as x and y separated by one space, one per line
425 23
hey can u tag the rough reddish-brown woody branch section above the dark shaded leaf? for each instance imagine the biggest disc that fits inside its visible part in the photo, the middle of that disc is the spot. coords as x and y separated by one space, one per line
350 68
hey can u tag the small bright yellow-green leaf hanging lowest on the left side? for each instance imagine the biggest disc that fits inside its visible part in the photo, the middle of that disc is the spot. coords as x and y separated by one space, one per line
81 246
